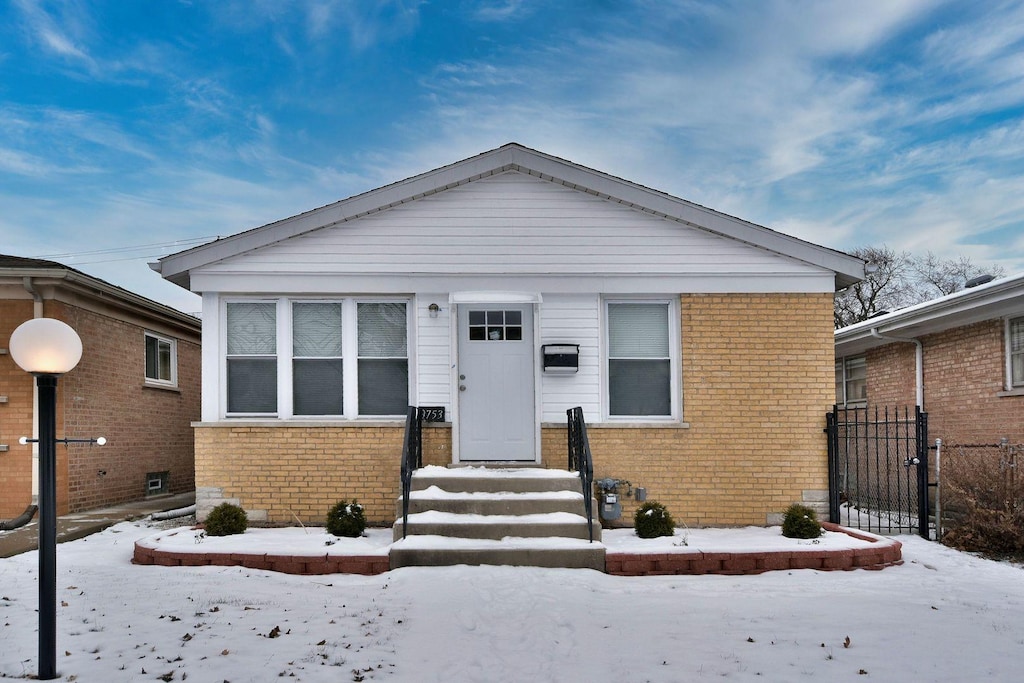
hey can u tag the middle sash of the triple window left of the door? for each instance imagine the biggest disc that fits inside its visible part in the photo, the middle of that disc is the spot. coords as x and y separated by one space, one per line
317 368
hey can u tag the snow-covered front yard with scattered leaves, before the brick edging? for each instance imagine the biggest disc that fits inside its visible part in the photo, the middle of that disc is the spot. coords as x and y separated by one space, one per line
944 616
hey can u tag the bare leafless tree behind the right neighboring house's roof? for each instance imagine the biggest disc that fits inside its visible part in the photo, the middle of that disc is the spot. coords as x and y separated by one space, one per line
901 280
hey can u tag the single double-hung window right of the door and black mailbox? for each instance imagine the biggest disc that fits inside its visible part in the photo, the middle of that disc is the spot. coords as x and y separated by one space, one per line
642 355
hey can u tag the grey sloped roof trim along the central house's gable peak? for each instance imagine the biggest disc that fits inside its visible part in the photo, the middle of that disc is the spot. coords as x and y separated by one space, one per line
513 157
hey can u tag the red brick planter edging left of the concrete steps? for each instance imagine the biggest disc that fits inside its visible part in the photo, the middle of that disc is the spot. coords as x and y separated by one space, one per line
300 565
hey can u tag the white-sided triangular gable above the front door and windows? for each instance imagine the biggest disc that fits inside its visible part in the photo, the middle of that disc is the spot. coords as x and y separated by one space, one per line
508 229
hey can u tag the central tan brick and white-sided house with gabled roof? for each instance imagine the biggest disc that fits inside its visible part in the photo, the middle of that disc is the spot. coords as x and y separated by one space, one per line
501 291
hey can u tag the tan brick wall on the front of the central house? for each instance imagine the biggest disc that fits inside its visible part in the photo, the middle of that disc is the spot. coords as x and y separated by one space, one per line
757 382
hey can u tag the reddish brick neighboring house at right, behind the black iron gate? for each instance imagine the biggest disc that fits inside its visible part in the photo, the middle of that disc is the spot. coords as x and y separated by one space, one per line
961 358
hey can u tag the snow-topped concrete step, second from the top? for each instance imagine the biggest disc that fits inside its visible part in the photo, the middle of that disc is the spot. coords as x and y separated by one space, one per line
493 503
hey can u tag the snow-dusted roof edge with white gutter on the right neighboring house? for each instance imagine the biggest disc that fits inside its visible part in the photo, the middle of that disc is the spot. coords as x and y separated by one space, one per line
999 298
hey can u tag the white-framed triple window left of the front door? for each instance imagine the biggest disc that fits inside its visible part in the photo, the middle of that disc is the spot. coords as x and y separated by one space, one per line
343 358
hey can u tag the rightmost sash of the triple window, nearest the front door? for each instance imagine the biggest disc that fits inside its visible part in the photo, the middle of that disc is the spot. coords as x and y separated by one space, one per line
383 363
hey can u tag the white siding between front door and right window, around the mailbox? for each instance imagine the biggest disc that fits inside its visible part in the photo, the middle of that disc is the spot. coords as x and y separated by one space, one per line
573 320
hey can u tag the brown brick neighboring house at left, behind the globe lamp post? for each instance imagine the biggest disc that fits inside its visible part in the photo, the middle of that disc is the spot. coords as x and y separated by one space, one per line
138 385
